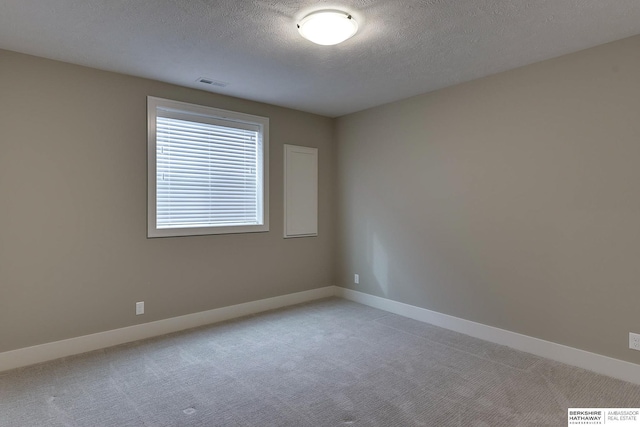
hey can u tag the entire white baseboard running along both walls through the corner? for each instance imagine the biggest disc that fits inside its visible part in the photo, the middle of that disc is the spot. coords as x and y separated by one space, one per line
594 362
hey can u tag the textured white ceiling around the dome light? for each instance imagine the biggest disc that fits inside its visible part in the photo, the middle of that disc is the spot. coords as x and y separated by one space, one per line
403 47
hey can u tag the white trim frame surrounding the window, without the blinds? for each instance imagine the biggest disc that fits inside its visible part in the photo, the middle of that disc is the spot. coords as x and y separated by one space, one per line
153 104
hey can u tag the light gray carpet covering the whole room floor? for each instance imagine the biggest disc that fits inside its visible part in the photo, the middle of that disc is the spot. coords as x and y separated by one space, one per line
326 363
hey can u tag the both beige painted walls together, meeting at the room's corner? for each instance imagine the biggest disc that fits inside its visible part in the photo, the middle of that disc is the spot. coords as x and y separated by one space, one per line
511 201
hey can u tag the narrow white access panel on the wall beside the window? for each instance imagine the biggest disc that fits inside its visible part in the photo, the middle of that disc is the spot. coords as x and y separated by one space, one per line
300 191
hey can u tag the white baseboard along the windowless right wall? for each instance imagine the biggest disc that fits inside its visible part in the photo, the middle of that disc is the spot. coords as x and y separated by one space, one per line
605 365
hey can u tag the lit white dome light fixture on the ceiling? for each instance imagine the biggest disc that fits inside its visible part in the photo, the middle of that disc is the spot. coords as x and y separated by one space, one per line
328 27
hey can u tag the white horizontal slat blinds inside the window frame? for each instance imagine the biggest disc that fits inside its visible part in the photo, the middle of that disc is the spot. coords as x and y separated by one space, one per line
208 172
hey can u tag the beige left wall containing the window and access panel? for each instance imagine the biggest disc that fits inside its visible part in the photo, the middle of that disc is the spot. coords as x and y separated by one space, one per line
74 257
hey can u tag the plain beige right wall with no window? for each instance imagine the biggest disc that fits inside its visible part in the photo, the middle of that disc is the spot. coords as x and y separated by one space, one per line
512 201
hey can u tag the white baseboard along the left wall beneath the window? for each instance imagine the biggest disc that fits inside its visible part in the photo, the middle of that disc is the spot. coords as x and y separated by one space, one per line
54 350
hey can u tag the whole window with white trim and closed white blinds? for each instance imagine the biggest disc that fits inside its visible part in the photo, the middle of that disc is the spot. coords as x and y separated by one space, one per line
207 170
